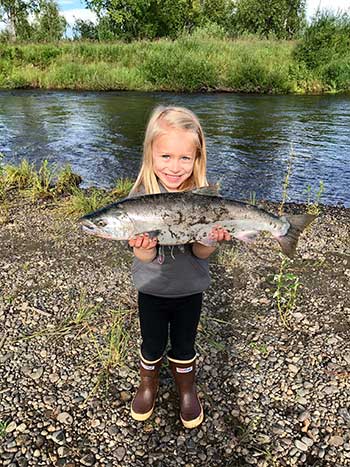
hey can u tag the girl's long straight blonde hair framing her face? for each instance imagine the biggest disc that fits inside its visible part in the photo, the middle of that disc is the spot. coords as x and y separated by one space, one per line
163 118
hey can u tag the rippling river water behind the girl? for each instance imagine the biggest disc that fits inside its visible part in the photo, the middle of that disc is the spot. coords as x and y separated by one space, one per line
250 138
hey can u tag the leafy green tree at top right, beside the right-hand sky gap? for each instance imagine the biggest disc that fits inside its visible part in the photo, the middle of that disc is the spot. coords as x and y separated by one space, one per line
281 18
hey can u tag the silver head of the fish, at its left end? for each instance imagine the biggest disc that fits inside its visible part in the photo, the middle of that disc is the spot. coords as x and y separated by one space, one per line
112 223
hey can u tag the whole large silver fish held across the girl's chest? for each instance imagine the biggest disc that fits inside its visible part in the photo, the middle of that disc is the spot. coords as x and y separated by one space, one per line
178 218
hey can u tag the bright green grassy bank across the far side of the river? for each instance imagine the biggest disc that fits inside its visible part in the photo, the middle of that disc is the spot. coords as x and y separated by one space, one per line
189 64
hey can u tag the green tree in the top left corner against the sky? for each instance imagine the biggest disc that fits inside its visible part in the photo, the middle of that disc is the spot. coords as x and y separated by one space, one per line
15 14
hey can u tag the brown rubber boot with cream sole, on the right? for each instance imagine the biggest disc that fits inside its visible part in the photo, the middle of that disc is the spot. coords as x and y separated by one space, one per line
191 411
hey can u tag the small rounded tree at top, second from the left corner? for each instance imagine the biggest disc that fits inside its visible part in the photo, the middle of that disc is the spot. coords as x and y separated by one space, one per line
49 25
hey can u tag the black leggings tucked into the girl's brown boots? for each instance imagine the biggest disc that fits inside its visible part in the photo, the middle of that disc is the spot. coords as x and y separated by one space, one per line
156 313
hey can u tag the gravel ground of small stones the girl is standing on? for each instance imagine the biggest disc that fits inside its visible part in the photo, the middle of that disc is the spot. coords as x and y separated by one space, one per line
273 395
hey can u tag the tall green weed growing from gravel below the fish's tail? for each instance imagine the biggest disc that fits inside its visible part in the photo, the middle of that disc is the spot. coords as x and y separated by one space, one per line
287 285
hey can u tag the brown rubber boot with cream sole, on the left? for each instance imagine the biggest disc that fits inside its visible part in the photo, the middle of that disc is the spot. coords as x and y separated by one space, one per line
143 403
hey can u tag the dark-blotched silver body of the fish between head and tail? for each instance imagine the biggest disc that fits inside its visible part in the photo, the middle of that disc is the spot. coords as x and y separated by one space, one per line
178 218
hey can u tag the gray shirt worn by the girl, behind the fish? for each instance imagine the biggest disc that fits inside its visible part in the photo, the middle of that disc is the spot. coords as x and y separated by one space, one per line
175 271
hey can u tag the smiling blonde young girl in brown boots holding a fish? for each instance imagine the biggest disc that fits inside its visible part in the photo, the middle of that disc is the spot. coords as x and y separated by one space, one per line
170 281
